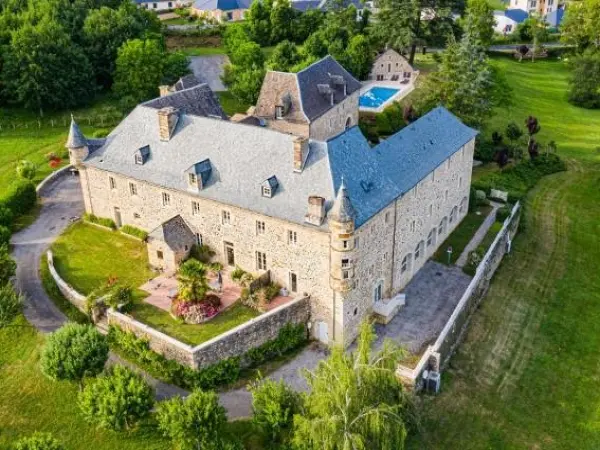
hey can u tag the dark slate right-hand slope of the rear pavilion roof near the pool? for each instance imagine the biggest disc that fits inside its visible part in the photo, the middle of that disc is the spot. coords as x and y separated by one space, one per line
314 103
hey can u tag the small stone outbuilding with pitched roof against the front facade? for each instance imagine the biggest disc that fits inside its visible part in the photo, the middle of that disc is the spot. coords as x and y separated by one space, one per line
170 243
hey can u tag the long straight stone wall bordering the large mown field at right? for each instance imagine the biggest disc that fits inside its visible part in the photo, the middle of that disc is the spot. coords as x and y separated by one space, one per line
437 356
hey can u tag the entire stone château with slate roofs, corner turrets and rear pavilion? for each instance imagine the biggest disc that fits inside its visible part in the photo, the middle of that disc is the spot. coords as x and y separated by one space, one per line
292 187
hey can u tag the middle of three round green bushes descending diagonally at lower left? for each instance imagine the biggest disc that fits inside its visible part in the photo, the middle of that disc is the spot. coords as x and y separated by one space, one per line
118 400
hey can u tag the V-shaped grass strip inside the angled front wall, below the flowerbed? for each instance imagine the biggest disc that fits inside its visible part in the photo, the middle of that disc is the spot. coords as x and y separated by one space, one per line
193 334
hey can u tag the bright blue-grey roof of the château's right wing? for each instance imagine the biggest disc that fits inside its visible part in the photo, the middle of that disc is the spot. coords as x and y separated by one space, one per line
374 177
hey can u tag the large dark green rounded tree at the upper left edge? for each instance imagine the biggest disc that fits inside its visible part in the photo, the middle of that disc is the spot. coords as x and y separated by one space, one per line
42 68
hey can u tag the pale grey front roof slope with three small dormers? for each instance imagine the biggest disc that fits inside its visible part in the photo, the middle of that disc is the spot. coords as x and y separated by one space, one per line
242 158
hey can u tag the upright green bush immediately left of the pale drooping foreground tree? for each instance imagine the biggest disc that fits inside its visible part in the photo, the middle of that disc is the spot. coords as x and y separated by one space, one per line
274 405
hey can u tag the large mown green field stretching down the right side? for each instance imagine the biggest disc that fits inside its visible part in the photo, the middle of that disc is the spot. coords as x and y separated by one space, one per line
526 375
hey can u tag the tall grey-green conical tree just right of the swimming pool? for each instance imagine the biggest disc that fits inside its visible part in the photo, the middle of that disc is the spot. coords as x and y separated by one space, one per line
464 84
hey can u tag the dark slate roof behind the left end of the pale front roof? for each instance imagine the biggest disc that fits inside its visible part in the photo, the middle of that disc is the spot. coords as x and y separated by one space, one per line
198 100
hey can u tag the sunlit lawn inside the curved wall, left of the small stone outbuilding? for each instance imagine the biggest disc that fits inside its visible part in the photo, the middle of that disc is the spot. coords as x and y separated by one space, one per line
86 256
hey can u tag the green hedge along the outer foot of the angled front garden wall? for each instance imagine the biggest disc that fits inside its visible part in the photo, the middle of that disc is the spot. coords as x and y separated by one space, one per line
224 372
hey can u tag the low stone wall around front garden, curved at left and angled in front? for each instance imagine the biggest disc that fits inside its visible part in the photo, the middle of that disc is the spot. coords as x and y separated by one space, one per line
234 342
